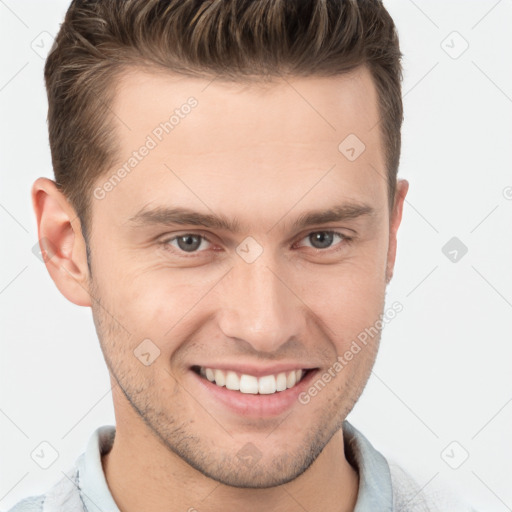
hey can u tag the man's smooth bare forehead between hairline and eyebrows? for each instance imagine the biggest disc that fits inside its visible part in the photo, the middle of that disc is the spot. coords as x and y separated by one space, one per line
247 146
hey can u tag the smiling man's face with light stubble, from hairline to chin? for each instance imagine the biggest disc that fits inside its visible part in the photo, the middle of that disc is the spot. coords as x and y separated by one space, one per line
272 296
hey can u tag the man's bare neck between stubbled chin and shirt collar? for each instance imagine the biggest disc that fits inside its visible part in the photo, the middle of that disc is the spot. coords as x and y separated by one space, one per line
139 463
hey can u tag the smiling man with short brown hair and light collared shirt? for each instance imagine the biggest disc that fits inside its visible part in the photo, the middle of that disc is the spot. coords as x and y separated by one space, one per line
226 201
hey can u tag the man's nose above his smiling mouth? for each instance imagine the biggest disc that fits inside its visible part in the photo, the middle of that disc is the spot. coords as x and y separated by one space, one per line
257 304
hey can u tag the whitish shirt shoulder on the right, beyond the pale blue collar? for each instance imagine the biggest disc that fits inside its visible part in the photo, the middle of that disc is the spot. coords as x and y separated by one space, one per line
409 496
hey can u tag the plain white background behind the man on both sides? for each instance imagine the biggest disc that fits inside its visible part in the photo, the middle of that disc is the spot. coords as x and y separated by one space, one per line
444 369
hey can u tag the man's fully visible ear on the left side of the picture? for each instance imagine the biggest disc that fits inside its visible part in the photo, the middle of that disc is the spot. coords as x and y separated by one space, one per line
60 238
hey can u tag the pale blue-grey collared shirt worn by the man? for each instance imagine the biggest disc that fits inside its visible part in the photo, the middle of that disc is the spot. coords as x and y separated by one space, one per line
383 486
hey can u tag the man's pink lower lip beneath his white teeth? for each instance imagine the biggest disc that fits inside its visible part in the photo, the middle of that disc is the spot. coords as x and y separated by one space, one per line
256 406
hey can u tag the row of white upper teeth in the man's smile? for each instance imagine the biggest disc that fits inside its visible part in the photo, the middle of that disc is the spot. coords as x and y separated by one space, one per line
244 383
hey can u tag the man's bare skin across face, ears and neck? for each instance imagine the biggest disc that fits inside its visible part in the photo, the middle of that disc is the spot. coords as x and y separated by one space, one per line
260 154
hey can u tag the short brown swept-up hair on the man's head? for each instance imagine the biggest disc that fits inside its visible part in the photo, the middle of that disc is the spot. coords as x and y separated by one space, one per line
238 40
